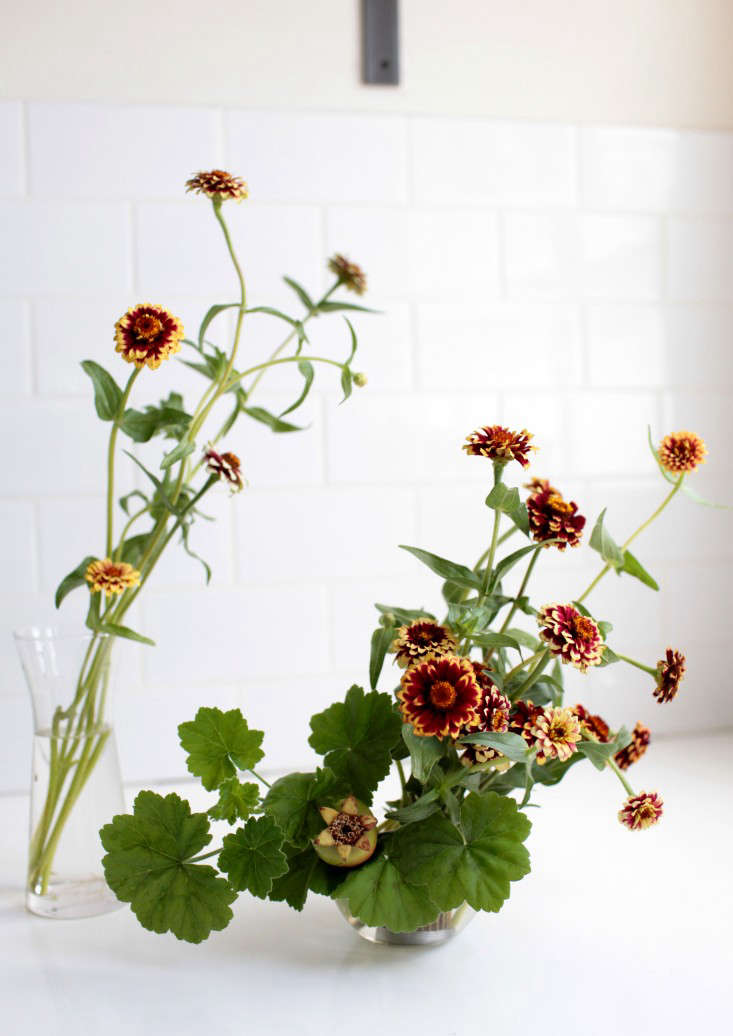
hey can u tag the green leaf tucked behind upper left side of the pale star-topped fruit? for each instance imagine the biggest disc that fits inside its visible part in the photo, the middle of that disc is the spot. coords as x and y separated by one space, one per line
294 803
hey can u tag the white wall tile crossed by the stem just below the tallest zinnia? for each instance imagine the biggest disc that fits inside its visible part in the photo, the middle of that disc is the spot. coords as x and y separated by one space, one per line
181 249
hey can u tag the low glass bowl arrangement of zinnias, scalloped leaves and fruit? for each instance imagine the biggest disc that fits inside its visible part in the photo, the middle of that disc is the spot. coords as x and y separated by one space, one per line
478 721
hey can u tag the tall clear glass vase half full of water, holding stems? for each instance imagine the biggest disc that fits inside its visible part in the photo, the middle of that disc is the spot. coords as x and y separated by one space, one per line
76 784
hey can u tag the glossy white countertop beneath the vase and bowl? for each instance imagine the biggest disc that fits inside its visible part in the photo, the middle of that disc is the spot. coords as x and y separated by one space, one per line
612 933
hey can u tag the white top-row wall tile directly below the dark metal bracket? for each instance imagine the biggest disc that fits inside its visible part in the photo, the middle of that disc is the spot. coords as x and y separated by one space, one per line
319 158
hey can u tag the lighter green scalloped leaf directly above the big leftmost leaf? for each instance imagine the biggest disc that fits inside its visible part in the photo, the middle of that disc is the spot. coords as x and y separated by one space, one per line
219 742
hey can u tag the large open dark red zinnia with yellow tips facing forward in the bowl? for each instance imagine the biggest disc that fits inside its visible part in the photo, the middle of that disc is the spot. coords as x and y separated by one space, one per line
441 697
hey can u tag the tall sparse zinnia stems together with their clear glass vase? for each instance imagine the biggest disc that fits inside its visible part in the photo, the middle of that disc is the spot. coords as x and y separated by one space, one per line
70 677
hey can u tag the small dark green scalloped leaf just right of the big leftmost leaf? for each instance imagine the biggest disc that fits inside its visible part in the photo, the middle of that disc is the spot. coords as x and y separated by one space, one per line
252 857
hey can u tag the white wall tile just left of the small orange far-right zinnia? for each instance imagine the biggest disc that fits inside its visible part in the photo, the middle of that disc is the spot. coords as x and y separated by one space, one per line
609 433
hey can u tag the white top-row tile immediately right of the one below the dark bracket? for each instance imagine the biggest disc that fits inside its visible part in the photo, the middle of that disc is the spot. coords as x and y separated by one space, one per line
476 162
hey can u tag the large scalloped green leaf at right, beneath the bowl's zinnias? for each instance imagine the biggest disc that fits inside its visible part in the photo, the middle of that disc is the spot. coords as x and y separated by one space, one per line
476 867
